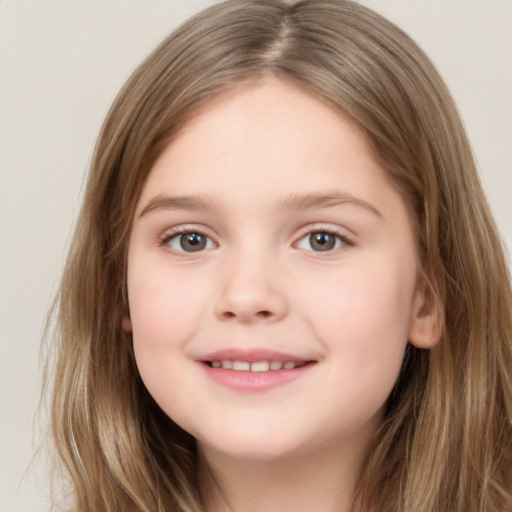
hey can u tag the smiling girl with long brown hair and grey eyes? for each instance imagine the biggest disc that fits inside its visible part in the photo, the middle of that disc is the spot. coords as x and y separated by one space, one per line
285 289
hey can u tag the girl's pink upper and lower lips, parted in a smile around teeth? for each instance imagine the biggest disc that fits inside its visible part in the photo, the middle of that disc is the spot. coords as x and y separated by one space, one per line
248 381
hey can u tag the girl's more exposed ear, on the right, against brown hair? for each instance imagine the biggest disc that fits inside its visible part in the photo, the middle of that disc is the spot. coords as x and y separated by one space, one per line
427 318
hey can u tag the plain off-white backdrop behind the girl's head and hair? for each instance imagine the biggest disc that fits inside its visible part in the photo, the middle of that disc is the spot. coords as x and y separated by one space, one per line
62 62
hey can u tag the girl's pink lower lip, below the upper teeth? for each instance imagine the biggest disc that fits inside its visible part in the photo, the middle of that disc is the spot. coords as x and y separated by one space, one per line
255 381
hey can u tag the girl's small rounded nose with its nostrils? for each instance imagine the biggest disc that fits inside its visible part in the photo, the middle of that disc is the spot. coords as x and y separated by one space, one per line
252 290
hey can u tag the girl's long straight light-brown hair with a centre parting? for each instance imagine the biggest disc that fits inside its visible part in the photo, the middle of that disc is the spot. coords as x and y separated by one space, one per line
446 442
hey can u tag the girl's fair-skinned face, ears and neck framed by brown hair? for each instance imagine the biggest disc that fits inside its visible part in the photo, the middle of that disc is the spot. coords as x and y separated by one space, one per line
267 238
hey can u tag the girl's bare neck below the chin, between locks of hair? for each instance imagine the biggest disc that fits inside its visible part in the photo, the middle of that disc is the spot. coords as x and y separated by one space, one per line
325 480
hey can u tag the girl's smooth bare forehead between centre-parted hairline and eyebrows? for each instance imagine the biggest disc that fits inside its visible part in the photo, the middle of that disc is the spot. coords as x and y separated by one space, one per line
267 134
